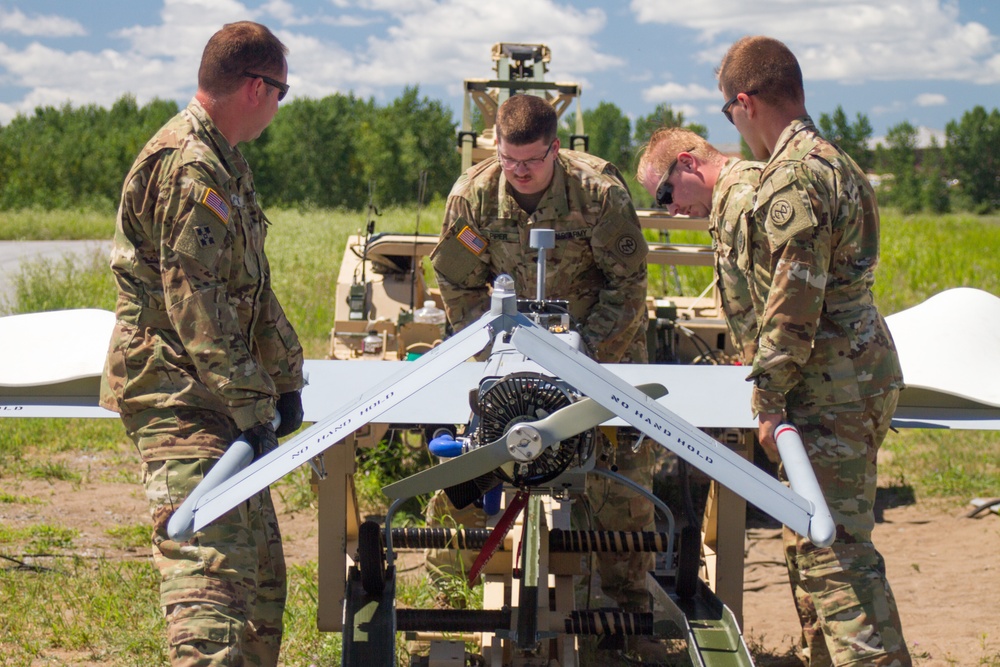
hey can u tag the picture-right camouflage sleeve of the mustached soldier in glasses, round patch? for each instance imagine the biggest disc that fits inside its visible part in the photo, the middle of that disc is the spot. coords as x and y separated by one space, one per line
620 253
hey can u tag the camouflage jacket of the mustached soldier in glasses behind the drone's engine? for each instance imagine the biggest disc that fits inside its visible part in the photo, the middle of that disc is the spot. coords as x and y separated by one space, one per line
598 264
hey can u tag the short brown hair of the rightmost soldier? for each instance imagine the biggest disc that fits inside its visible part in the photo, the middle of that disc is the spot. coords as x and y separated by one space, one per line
764 65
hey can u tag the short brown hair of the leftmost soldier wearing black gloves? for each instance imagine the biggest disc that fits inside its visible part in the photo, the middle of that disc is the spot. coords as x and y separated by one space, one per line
239 47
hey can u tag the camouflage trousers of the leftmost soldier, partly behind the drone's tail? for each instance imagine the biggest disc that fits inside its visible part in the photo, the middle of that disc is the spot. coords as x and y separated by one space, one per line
223 592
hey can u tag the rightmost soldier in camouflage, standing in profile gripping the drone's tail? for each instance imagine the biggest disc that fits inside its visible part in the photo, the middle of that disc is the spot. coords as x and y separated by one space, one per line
825 359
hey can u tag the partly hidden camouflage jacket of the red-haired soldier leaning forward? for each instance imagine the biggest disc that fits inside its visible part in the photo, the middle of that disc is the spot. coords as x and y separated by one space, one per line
732 202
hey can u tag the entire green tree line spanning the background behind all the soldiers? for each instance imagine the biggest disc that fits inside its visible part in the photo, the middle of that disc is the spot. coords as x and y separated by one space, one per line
340 150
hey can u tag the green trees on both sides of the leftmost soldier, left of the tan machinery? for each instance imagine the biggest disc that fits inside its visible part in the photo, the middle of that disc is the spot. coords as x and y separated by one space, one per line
337 151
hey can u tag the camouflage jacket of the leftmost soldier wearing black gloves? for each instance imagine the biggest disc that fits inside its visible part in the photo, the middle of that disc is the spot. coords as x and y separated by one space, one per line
198 326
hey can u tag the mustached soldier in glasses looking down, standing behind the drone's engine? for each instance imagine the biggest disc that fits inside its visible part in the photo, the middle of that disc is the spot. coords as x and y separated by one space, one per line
598 265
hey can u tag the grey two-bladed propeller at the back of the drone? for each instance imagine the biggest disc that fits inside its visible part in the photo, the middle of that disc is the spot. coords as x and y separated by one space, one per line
523 442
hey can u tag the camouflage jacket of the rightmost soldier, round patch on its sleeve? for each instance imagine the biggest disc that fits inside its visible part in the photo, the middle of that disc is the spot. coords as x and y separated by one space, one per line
822 340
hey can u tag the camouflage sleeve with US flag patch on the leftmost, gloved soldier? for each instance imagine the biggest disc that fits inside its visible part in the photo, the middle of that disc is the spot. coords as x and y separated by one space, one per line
196 259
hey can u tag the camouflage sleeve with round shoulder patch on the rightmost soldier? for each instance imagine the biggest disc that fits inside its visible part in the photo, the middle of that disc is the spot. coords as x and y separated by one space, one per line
796 218
